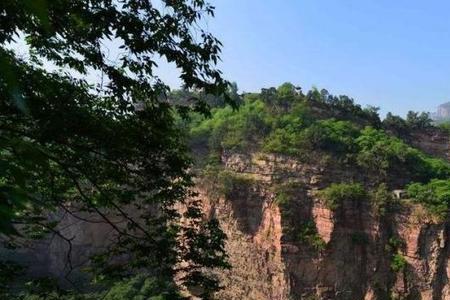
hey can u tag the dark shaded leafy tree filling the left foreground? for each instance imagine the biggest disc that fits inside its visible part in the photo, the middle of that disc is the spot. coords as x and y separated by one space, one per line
72 140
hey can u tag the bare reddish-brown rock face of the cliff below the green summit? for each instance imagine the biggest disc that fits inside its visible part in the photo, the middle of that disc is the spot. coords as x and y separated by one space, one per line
353 259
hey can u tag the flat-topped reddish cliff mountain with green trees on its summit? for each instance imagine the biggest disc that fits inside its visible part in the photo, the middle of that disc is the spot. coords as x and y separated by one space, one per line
321 200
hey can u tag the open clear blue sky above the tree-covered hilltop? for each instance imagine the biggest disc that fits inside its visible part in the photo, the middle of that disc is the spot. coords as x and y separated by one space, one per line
391 54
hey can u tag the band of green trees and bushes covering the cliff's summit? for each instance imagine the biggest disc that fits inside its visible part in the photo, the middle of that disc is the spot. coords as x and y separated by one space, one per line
285 121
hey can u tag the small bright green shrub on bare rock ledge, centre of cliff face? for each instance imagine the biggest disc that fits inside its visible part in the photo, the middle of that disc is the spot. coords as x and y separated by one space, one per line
336 193
